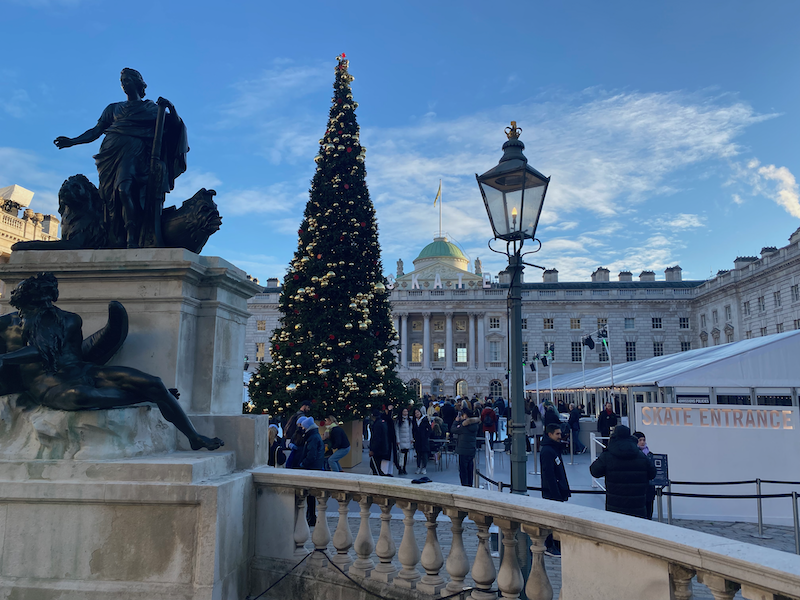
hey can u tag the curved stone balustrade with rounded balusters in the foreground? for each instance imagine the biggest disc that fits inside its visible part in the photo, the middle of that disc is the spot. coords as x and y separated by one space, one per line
604 555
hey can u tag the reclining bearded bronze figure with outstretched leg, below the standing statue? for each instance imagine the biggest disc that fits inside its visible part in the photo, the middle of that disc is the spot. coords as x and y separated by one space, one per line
45 357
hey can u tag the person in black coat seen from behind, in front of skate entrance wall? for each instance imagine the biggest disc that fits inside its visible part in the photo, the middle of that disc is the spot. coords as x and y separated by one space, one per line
627 472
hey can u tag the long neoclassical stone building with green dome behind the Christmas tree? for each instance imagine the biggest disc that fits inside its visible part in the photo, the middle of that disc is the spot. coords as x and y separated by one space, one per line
452 323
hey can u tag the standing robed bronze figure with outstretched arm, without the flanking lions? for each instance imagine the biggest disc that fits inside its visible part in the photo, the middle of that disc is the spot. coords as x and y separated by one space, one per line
124 166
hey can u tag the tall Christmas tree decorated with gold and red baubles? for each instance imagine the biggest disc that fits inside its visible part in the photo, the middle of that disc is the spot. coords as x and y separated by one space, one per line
333 347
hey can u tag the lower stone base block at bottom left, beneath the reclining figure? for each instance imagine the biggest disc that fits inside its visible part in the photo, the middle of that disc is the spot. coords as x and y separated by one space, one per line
173 527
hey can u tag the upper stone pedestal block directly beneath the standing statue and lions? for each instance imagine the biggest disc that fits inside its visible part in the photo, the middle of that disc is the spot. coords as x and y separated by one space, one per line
187 315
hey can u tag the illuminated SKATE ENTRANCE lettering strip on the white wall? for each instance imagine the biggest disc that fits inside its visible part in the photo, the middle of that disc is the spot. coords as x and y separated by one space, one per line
711 416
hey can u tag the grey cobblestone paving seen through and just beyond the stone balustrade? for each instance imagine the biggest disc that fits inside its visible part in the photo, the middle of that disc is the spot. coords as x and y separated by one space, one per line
780 538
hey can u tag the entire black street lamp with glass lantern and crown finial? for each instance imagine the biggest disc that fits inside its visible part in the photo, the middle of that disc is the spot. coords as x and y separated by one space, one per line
513 193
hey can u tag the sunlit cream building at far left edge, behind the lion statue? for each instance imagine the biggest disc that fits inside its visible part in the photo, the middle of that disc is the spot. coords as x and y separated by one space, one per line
29 226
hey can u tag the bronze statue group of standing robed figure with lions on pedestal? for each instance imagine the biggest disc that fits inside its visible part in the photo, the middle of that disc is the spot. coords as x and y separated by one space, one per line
142 153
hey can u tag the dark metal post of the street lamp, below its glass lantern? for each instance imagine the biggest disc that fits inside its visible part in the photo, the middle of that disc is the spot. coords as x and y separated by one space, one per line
519 456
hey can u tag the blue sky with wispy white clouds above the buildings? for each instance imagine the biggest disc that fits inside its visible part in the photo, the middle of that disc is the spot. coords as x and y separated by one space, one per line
670 130
